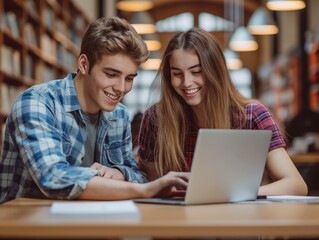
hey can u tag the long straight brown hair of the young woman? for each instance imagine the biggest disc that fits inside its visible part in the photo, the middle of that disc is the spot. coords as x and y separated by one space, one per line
221 102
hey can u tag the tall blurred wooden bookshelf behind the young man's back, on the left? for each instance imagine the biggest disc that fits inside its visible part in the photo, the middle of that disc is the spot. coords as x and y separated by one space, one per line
39 41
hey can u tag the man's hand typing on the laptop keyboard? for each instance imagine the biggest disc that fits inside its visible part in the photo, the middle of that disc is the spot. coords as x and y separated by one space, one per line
173 184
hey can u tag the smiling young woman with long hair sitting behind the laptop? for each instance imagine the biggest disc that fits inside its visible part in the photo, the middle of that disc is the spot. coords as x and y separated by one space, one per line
196 92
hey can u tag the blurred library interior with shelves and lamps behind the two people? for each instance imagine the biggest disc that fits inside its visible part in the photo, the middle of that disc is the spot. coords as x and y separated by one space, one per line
271 48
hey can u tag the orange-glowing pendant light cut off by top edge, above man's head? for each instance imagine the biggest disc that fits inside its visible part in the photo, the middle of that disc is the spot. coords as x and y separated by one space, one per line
134 5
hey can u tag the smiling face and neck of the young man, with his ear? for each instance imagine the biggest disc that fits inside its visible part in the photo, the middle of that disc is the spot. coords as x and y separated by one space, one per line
108 81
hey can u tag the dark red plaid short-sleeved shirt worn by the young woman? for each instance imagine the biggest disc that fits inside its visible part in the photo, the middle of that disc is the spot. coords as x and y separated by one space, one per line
258 117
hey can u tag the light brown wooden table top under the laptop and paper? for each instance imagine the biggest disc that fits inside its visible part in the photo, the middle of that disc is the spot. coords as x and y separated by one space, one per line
25 218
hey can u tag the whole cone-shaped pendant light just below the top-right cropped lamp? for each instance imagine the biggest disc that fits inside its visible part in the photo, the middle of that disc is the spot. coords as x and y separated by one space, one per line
262 23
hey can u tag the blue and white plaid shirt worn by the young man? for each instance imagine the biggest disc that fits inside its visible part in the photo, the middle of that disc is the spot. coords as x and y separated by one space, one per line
44 144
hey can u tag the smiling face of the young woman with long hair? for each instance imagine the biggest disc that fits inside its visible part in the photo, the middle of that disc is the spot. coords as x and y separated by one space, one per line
186 77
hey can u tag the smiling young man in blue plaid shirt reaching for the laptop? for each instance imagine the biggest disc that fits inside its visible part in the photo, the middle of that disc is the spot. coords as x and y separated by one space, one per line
71 138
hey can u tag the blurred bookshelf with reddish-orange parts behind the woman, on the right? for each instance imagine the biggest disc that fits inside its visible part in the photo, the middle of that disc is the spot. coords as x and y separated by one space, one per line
281 88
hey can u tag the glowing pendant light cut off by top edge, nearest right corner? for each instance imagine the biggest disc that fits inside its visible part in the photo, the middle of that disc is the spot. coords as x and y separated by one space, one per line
285 5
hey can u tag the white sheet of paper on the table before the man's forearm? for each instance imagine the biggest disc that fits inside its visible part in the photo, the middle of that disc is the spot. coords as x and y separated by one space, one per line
115 208
